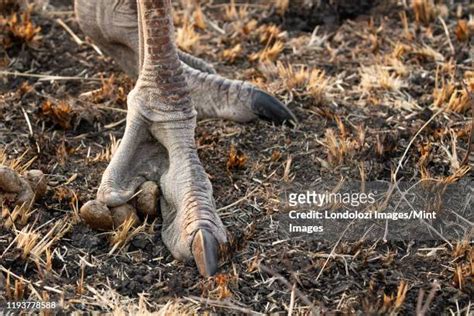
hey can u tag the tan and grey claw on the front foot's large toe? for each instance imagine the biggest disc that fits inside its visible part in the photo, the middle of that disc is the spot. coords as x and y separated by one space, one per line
205 251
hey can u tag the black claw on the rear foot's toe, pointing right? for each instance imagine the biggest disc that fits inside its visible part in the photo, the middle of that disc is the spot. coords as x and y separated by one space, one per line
269 108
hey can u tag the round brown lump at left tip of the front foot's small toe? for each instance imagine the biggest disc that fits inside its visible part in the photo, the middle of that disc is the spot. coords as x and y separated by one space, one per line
97 215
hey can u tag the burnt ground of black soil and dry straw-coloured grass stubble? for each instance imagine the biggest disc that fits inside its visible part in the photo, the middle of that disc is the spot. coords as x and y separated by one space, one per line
367 89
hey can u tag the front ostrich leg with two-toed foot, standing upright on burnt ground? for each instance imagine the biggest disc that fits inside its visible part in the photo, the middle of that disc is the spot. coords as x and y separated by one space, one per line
159 145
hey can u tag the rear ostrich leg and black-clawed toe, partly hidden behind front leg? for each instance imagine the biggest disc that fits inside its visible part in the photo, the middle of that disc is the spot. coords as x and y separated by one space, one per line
113 25
